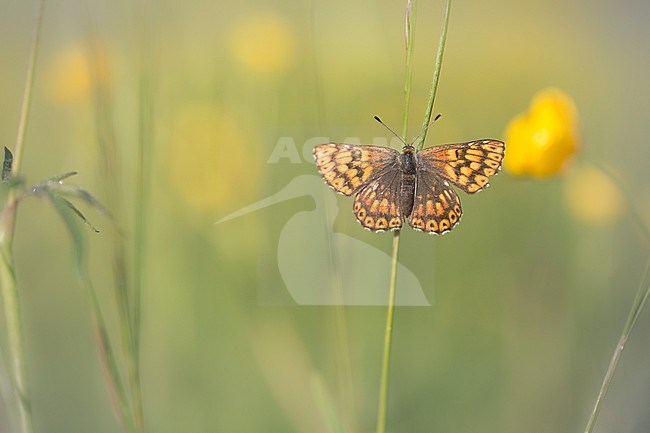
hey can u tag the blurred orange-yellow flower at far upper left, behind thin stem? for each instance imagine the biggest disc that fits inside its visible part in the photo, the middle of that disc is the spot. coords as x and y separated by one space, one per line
75 72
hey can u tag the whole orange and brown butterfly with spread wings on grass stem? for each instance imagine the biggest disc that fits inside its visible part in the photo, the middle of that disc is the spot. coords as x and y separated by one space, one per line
390 186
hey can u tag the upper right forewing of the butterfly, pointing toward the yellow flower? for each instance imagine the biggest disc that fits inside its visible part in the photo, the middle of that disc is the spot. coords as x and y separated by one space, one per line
466 165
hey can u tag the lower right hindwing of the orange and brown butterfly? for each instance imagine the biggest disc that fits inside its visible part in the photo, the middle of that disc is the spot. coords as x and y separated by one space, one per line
436 206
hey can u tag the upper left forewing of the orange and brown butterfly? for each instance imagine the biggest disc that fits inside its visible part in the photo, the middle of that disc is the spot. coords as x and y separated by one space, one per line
347 168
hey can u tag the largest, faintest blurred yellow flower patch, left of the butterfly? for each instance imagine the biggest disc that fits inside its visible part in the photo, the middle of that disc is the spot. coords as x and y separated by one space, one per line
209 157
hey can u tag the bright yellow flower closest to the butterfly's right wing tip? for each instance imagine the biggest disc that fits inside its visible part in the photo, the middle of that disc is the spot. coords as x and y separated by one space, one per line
544 140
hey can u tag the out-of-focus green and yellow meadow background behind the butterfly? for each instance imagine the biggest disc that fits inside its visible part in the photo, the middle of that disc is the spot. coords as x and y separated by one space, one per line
528 294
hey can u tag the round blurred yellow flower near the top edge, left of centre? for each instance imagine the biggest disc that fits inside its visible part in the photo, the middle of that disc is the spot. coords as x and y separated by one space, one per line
263 43
